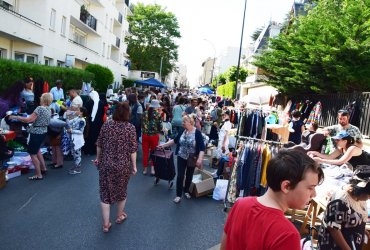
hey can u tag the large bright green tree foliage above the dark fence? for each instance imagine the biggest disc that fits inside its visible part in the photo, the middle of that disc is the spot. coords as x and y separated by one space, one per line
324 52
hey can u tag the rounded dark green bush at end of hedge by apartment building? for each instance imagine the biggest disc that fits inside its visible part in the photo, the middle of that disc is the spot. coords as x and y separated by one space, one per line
103 76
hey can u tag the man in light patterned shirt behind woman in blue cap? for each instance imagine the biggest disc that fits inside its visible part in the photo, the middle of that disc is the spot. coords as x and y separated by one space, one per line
343 124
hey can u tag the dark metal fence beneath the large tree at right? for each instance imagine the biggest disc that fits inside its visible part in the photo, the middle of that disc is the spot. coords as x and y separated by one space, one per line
333 102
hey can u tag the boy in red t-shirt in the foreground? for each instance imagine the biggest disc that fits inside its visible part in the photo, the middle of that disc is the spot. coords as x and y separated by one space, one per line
259 222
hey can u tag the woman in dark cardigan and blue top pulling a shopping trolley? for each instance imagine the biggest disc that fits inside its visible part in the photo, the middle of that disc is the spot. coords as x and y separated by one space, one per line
190 151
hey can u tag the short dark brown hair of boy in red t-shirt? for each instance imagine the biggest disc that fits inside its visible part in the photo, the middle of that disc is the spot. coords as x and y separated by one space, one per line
291 165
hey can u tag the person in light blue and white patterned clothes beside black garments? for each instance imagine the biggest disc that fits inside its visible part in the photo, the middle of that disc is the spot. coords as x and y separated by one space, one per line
75 128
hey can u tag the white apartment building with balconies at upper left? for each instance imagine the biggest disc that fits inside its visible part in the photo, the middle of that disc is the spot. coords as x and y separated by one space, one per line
68 33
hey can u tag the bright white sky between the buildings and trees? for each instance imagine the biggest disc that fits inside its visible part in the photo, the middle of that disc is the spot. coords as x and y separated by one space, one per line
208 27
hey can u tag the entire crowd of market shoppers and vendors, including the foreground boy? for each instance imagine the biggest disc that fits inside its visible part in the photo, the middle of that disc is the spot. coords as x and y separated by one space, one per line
155 118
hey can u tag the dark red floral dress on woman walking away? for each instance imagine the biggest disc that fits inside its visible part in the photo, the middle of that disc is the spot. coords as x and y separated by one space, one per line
117 141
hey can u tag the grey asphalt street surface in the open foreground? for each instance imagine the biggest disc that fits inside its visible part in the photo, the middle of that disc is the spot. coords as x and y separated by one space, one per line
63 212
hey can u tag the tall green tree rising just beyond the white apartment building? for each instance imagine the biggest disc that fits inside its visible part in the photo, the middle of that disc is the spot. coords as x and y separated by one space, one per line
153 33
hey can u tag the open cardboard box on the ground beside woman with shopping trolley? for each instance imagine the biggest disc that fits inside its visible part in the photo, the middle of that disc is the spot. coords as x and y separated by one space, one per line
205 186
